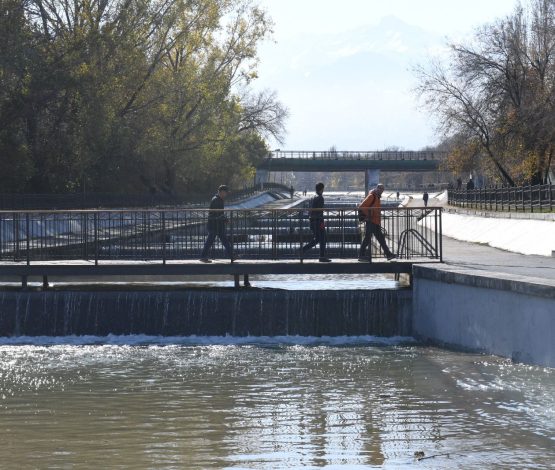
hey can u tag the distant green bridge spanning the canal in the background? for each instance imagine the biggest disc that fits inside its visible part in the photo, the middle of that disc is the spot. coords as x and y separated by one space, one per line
371 162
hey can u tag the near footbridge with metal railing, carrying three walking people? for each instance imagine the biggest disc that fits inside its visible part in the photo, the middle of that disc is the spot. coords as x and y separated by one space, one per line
168 242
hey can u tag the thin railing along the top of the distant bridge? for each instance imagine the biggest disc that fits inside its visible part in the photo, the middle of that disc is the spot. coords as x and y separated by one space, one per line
365 155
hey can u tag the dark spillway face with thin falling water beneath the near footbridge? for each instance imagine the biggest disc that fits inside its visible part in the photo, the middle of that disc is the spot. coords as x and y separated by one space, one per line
203 312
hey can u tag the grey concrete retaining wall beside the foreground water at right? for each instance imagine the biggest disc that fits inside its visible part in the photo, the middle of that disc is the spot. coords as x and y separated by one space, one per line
488 312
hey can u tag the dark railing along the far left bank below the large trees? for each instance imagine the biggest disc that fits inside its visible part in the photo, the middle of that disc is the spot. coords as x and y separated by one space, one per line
92 200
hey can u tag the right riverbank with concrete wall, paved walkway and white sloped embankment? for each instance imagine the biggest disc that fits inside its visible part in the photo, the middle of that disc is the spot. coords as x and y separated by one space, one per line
495 291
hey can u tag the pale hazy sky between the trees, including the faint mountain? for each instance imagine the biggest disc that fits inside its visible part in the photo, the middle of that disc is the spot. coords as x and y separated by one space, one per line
344 68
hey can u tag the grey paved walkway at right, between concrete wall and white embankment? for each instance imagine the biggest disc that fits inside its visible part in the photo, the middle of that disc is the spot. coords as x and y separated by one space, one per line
482 257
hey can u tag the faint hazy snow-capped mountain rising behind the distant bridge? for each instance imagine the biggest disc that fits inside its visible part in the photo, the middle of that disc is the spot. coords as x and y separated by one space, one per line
352 88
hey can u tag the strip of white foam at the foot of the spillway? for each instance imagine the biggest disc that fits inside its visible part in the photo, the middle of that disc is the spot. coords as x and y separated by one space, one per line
142 340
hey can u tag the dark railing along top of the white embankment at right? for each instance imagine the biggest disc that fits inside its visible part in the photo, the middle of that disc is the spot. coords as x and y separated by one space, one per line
518 199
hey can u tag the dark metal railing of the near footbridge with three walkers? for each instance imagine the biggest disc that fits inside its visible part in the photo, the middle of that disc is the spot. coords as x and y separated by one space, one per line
163 235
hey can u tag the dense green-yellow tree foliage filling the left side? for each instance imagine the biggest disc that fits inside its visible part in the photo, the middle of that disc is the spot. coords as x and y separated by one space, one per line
131 95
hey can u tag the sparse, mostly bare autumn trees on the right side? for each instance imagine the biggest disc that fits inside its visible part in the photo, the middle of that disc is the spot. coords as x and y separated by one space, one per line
495 97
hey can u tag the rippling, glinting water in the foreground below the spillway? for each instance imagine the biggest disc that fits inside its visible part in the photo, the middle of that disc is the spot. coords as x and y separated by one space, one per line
274 403
